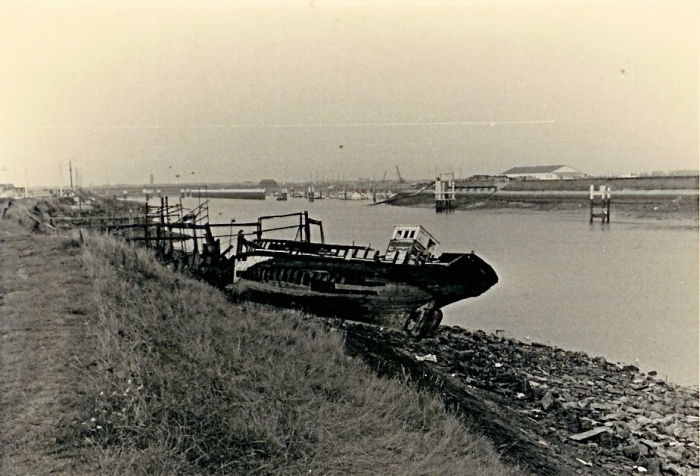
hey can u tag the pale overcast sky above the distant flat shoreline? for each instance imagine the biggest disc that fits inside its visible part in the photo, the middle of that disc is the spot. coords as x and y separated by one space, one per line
221 91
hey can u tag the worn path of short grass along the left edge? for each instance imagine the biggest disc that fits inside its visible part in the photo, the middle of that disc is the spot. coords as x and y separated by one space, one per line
41 338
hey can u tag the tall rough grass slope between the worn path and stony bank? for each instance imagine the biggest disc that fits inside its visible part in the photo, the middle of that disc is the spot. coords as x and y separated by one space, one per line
188 383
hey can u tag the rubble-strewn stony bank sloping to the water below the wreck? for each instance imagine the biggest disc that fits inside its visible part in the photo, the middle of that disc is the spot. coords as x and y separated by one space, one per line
548 410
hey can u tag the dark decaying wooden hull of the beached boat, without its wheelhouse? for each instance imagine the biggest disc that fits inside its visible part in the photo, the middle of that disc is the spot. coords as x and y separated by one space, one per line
366 290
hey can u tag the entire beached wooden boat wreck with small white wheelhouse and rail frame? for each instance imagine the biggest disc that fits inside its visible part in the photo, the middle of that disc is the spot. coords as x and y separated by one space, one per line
405 287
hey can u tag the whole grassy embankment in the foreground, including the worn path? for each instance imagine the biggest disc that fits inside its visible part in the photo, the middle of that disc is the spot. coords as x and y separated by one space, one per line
164 376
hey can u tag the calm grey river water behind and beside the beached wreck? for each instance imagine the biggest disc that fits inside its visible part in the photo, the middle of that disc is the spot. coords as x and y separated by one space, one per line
627 291
